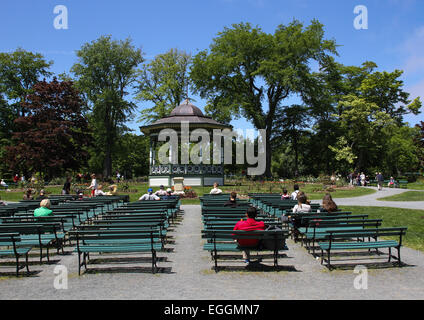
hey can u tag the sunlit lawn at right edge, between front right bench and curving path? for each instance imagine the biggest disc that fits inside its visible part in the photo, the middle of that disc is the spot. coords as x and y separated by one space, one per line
395 217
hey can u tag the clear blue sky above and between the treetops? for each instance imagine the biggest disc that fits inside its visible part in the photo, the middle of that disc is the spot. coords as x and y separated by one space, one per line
394 38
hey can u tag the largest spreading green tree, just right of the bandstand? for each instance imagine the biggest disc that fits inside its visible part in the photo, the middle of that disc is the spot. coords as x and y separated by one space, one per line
250 73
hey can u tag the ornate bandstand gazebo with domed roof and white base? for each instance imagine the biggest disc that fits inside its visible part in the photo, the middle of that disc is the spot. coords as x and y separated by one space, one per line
193 174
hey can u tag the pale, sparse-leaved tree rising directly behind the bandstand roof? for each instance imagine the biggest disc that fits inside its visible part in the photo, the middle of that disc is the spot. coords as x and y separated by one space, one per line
164 82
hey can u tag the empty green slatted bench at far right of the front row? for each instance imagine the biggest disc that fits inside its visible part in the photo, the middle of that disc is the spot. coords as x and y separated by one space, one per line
341 240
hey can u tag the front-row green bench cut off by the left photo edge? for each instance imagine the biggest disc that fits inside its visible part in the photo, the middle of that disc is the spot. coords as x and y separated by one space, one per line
14 240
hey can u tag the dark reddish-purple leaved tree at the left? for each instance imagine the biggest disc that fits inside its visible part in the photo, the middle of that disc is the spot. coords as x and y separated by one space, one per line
53 136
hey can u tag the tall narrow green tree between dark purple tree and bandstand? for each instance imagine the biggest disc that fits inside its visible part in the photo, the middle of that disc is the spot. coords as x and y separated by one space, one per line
105 70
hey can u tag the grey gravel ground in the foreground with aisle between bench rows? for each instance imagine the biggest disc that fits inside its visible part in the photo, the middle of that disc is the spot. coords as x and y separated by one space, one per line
186 273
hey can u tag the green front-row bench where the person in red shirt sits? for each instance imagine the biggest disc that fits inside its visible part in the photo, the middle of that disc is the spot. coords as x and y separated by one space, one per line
225 241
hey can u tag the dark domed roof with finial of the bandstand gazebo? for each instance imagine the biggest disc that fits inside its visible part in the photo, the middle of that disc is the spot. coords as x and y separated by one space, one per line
185 112
